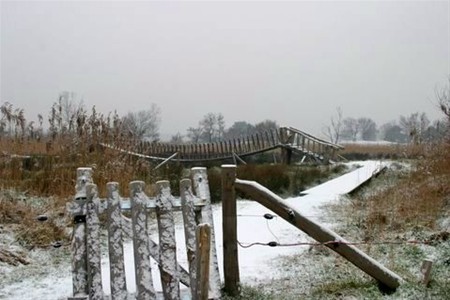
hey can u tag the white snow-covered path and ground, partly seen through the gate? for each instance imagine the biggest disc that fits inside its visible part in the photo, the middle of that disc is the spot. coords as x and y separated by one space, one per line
256 263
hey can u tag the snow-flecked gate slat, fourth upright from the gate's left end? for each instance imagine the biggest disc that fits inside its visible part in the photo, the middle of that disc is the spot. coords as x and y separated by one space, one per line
144 283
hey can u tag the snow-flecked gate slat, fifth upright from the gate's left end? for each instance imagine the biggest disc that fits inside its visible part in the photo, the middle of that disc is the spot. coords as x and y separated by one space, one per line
170 278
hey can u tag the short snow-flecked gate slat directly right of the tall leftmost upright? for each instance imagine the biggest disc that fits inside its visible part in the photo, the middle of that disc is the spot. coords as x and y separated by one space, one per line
93 244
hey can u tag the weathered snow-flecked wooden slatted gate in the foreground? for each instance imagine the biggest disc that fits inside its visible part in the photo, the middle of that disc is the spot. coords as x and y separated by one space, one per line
88 209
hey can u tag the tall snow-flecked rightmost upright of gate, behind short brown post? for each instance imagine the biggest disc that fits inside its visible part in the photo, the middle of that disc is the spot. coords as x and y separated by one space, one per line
201 188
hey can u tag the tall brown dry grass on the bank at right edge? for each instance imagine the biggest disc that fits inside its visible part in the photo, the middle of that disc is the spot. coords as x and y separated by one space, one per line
418 200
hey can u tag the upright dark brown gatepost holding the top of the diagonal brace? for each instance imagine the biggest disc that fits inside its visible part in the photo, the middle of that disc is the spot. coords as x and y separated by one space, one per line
229 227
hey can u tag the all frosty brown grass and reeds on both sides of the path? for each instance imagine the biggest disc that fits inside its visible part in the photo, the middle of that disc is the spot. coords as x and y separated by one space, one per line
410 201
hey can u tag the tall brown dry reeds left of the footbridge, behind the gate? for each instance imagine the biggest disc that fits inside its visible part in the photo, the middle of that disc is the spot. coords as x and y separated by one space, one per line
44 168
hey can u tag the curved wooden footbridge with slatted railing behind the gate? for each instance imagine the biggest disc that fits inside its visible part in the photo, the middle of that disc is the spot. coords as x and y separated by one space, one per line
288 139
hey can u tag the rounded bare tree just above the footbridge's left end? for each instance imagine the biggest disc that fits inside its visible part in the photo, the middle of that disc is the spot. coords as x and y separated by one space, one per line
144 124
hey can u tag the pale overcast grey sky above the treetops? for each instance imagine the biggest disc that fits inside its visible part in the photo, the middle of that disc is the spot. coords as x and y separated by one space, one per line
293 62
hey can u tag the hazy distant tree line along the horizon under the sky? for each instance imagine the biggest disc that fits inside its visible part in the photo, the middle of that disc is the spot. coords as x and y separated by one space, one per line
68 117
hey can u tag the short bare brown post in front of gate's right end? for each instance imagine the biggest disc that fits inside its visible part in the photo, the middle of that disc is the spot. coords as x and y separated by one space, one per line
203 244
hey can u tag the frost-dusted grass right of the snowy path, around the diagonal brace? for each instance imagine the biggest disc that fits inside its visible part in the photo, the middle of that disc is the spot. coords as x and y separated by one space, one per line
408 202
